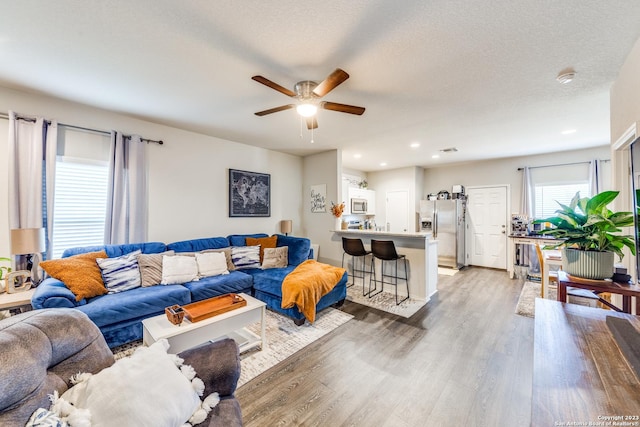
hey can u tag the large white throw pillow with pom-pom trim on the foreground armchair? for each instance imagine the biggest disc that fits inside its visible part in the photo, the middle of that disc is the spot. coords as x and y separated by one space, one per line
150 388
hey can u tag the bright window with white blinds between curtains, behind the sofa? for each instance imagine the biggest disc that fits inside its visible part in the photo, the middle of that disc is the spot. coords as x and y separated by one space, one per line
80 203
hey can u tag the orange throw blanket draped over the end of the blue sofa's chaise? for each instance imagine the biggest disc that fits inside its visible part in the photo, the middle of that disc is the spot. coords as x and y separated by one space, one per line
307 283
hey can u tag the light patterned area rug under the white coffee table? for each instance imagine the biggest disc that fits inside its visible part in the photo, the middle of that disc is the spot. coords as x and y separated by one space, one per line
284 338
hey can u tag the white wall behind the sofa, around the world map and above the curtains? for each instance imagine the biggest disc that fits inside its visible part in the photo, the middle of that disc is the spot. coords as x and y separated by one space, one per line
188 175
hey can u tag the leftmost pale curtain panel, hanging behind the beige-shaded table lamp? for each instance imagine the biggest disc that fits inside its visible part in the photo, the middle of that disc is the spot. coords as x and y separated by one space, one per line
33 146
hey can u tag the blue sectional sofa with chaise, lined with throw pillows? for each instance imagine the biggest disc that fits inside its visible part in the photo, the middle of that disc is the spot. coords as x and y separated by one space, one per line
119 316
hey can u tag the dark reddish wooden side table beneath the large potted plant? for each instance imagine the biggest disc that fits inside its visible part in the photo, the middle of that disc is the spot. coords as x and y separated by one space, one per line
627 290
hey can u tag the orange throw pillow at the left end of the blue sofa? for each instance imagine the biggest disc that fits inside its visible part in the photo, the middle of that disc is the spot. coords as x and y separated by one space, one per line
80 273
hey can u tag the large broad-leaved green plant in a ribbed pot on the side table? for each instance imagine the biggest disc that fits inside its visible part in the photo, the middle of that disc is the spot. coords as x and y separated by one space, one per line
590 235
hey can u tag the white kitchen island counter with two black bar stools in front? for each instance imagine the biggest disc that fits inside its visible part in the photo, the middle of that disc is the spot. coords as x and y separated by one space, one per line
420 250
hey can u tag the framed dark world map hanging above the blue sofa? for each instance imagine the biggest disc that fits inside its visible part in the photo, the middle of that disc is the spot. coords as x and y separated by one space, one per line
249 193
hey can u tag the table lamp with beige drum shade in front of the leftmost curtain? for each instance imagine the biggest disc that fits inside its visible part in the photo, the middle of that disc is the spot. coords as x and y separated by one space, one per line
31 243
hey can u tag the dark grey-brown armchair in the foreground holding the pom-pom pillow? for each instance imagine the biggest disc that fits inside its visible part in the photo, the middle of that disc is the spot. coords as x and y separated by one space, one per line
40 350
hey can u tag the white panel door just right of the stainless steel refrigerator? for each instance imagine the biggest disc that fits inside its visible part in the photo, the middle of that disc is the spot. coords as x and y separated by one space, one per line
487 226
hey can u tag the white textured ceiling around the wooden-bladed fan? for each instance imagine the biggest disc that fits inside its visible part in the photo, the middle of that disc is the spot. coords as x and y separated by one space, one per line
475 75
